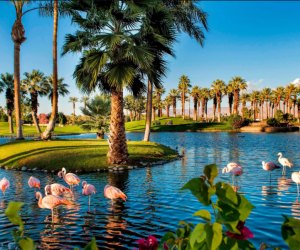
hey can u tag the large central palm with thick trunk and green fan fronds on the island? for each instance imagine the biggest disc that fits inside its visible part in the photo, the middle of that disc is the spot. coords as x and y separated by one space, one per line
113 58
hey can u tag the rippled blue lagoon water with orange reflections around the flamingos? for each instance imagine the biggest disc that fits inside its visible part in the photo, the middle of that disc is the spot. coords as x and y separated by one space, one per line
155 204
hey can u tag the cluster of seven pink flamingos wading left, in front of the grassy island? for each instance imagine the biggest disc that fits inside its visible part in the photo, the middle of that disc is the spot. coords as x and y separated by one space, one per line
54 192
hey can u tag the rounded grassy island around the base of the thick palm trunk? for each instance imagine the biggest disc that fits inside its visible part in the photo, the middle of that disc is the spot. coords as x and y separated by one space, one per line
86 155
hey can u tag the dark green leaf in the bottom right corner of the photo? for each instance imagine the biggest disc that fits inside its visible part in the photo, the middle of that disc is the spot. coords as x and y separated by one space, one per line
290 231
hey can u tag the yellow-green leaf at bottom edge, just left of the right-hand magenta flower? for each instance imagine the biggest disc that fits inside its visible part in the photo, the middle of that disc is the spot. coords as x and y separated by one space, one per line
213 235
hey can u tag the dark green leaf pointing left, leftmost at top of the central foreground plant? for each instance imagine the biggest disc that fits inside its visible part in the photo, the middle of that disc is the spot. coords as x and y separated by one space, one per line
200 190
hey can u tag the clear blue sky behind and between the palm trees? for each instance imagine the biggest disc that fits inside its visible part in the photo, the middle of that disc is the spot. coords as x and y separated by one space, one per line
258 40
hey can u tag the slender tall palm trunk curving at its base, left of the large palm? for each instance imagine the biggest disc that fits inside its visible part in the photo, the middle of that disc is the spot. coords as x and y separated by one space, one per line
51 125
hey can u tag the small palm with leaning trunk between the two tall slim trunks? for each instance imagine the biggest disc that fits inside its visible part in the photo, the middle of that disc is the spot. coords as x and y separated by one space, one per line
35 85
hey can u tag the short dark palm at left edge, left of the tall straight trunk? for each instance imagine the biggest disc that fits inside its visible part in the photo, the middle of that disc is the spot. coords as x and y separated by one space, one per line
7 84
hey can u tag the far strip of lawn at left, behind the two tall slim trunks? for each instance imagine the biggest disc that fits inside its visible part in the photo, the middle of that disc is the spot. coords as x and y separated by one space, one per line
31 130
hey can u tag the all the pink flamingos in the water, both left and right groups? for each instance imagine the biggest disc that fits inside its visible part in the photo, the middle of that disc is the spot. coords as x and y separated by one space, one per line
54 192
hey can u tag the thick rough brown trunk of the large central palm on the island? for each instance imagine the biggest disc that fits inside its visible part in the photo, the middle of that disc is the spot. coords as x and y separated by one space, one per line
118 153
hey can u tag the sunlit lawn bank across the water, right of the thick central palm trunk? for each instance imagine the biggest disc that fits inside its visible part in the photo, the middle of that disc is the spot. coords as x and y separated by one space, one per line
179 125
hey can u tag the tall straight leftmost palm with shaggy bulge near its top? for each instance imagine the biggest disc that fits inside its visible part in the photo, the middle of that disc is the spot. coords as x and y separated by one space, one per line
18 37
